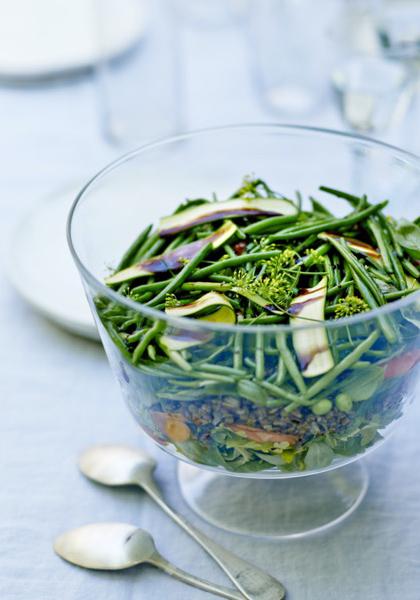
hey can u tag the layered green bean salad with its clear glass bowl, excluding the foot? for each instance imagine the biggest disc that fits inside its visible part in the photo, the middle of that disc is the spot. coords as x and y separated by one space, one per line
265 325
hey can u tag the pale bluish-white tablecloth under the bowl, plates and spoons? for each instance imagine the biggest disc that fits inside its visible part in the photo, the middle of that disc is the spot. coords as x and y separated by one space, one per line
58 395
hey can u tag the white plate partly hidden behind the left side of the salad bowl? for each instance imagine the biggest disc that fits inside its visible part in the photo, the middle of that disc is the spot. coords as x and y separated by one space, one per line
41 269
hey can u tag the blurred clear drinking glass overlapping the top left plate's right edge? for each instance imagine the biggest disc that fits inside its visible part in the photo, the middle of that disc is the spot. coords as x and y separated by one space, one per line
140 93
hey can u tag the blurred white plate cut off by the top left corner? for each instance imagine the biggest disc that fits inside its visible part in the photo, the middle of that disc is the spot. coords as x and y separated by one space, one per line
43 38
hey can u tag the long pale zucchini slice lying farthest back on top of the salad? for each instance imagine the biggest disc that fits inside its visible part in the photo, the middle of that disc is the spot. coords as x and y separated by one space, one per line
212 211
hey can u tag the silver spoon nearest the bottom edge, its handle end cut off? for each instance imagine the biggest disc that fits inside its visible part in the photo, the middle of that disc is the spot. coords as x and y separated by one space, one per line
116 546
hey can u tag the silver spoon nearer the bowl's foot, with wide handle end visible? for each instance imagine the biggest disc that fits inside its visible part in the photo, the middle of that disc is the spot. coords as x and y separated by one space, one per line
121 465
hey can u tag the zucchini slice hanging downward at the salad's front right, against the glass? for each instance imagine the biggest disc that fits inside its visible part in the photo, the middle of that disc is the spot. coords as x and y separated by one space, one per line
311 345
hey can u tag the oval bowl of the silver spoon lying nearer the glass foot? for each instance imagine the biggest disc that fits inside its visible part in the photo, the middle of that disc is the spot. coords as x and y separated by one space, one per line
116 465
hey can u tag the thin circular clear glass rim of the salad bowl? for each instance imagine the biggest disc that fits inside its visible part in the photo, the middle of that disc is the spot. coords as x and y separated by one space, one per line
193 324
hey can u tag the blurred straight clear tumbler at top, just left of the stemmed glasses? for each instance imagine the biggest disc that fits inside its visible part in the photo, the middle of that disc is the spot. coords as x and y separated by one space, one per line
290 59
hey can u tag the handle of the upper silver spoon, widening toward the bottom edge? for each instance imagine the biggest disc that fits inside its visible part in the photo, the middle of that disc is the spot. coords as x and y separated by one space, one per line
252 582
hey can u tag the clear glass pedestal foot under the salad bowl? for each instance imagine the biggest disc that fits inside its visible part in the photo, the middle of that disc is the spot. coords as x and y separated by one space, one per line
274 508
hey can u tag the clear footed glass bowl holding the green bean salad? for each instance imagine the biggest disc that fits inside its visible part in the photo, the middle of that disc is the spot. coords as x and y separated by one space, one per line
237 399
